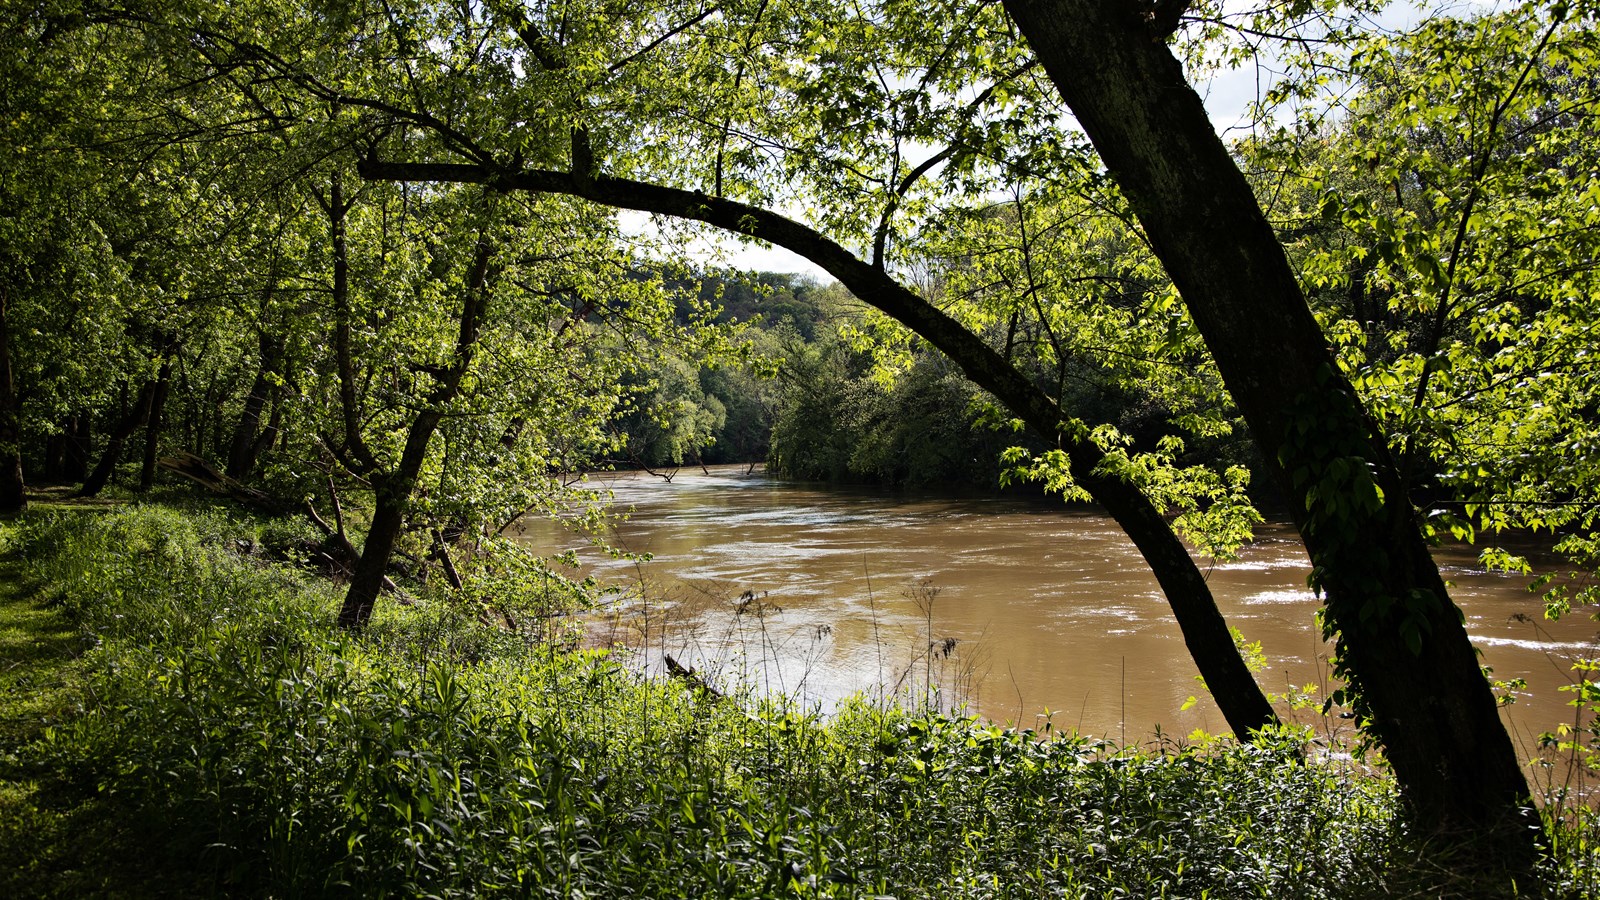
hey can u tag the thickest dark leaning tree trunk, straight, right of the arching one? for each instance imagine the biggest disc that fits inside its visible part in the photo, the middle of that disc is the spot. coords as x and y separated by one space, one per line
1402 646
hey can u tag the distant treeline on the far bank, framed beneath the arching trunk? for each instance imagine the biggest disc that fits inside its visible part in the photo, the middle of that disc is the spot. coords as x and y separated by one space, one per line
820 393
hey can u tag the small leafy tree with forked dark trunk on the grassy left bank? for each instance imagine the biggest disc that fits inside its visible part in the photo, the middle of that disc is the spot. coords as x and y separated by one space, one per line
473 356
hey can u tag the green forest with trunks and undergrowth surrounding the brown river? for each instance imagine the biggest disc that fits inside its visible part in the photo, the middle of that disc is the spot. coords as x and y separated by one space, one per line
305 305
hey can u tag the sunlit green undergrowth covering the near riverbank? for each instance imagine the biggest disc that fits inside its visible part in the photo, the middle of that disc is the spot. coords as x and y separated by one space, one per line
183 718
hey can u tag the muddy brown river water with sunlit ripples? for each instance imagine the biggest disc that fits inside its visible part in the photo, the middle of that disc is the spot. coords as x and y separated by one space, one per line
1009 608
